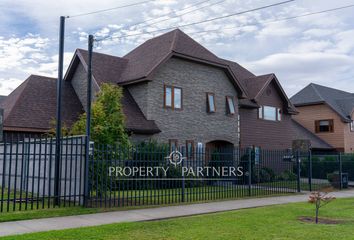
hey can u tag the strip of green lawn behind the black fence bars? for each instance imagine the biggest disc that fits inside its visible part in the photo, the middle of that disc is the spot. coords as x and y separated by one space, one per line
191 194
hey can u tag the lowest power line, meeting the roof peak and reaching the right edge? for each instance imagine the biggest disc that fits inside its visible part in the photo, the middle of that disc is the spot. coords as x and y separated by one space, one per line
240 27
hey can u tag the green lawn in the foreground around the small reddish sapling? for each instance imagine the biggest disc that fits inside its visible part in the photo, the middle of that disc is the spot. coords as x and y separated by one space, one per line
274 222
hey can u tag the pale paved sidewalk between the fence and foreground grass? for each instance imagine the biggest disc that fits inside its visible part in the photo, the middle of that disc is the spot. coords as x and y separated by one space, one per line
58 223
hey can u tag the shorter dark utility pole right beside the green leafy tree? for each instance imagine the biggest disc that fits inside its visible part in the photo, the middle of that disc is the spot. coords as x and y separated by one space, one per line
88 117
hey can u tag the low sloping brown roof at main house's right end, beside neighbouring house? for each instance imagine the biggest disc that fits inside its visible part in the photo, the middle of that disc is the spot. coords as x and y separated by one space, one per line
302 133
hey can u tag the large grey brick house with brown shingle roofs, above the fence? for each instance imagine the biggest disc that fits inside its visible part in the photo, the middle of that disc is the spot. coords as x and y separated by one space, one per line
175 91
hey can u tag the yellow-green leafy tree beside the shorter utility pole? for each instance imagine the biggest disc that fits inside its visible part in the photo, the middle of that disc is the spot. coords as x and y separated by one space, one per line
107 119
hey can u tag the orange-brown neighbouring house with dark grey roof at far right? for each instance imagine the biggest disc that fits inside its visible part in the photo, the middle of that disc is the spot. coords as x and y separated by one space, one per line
328 113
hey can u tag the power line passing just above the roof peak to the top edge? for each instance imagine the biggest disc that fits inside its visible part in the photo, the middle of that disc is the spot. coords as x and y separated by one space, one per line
195 23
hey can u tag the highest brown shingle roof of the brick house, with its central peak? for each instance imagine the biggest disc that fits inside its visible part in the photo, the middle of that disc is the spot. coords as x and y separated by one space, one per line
141 63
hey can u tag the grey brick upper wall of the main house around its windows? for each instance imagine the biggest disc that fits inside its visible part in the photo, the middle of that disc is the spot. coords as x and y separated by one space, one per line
193 122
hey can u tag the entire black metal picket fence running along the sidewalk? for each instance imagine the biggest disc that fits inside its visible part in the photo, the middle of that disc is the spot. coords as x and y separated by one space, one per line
152 174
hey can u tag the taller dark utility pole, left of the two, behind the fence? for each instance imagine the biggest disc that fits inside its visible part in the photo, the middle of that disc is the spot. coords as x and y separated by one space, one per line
58 114
